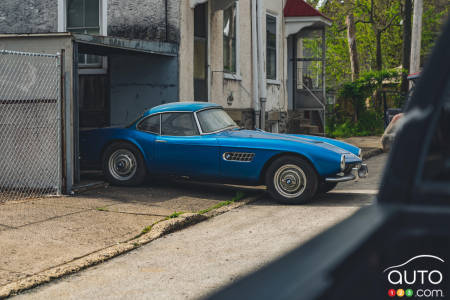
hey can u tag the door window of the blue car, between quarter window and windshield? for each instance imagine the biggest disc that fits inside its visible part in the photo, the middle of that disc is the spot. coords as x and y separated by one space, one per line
178 124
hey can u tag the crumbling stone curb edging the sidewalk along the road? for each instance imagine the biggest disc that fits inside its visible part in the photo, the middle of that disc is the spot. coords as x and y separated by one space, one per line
158 230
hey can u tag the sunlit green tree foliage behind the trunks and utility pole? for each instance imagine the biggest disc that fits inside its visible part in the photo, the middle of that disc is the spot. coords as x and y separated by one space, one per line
375 19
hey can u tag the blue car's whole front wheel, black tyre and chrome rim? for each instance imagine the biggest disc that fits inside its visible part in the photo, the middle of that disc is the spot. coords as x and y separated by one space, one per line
291 179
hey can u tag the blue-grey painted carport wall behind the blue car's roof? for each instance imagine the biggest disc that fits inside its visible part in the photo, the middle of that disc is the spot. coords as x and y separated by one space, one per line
140 82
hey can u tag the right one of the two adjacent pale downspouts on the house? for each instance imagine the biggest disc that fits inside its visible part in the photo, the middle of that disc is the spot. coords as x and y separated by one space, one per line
261 71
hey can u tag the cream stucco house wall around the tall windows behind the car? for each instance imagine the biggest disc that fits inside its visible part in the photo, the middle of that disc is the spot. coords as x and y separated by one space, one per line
233 94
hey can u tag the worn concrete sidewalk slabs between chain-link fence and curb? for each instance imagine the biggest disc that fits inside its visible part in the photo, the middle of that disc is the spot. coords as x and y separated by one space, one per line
42 235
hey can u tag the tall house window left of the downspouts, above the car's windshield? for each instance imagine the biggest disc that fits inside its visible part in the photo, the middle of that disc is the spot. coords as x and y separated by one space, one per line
230 39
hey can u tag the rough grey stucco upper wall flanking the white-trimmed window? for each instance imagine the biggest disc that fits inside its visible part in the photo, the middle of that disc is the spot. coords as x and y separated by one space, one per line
133 19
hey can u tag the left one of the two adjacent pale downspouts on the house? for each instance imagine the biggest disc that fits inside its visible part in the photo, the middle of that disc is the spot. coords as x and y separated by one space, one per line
255 66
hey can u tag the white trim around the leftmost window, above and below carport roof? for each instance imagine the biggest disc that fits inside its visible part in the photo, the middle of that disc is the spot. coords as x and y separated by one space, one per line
103 23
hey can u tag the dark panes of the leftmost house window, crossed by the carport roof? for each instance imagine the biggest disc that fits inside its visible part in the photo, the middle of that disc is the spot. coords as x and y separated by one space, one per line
83 16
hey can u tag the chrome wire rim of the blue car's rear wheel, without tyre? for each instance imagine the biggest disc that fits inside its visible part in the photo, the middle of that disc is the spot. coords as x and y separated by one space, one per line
122 165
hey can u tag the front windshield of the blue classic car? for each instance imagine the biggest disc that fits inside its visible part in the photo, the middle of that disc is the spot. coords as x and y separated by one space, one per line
215 119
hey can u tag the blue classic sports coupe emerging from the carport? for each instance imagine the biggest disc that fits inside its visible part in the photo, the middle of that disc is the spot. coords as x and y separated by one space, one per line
201 141
